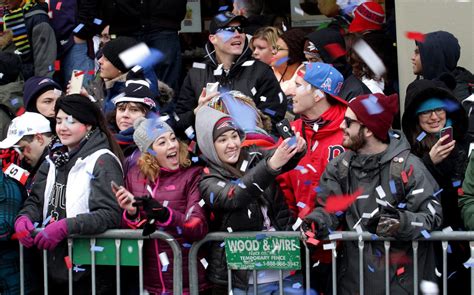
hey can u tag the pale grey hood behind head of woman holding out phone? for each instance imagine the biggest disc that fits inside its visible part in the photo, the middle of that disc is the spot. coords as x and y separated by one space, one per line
206 119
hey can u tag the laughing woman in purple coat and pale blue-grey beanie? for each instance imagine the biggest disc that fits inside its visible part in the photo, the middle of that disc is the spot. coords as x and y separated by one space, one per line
172 204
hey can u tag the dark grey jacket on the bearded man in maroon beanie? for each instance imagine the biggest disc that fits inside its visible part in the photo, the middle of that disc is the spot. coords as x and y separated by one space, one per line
365 173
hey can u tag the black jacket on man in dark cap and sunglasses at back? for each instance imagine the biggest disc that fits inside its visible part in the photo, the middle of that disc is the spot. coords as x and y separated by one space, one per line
251 77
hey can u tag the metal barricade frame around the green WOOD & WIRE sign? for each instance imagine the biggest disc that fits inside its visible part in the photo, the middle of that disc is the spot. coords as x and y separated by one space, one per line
220 236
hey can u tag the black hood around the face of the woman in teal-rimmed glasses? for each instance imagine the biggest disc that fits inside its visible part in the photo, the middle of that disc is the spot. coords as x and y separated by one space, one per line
419 91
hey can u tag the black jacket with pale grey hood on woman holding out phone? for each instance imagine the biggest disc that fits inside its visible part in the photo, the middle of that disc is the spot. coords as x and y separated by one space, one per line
237 203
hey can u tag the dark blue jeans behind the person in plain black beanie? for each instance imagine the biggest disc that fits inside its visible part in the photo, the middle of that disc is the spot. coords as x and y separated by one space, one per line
167 42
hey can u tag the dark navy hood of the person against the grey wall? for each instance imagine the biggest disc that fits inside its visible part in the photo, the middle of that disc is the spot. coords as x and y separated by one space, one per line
439 53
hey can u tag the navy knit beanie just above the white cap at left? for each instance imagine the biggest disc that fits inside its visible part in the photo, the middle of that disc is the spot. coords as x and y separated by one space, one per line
34 87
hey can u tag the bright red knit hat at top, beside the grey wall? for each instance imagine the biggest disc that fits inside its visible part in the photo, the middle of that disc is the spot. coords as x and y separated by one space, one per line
367 16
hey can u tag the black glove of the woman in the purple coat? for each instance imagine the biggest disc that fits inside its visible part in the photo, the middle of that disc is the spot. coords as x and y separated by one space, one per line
154 211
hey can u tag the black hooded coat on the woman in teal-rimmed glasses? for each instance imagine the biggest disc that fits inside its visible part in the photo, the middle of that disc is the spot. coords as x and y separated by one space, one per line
450 172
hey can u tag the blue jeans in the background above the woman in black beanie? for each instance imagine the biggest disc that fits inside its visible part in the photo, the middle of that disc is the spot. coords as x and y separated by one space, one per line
77 59
